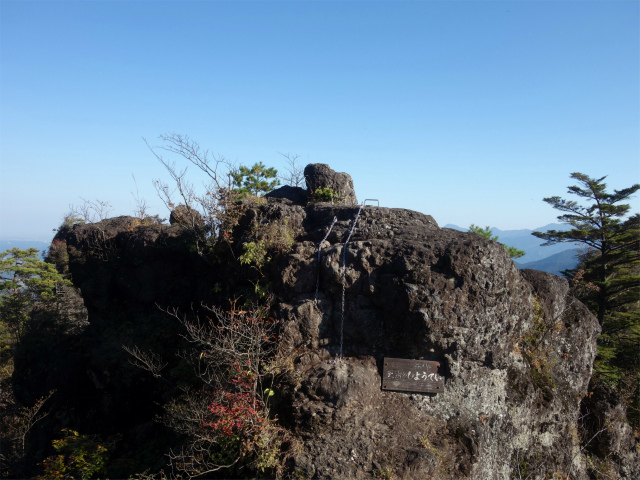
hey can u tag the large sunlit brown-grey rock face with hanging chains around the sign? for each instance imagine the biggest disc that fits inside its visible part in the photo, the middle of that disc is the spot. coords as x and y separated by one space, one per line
413 290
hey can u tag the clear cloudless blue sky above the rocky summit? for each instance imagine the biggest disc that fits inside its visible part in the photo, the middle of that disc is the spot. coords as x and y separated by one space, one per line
470 111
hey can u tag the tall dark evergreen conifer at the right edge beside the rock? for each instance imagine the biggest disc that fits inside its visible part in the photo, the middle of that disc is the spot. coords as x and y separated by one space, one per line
607 279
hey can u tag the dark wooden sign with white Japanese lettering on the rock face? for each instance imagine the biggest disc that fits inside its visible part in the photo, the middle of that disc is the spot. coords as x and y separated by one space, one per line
411 376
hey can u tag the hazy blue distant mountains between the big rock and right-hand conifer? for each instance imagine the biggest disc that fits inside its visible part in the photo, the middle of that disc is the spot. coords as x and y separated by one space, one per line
552 258
